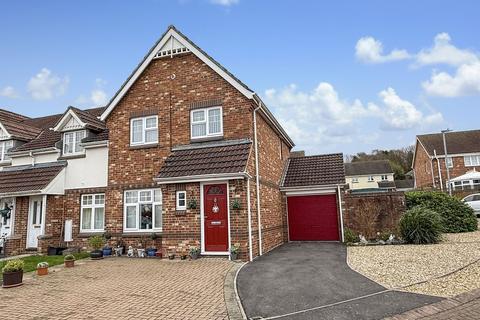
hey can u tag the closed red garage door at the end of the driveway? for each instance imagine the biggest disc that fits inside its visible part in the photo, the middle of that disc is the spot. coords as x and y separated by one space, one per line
313 218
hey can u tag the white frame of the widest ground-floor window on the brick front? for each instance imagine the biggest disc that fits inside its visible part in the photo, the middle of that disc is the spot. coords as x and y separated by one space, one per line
137 205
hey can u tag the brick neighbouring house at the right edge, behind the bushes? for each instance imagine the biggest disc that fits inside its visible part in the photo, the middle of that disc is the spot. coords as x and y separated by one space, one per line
429 165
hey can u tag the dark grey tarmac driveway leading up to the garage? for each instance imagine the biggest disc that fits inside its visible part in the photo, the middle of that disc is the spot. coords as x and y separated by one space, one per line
311 280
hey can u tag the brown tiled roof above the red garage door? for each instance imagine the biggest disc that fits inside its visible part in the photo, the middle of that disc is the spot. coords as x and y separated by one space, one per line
317 170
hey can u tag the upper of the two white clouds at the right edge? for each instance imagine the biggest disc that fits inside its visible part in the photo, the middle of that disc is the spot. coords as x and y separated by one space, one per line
443 52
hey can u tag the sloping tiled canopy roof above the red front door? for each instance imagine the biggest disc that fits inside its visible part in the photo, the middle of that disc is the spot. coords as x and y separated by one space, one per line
207 159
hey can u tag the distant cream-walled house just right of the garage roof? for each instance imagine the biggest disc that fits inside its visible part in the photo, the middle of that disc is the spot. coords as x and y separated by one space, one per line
369 175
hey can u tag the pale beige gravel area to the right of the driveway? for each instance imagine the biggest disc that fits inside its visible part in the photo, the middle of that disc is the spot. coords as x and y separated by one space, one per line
403 265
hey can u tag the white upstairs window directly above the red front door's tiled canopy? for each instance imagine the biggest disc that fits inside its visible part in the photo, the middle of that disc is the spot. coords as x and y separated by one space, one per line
206 122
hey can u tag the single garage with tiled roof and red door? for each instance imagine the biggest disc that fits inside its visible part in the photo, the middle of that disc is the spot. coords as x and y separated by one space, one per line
313 187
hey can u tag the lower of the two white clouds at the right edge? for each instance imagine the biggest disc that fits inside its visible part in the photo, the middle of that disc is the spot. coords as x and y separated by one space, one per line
466 81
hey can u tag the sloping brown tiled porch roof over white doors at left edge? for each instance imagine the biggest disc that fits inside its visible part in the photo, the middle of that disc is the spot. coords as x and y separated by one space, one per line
29 178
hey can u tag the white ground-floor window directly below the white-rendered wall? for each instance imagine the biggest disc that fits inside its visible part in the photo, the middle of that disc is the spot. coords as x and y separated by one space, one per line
92 217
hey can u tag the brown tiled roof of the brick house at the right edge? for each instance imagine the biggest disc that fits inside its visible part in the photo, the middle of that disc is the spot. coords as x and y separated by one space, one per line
457 142
